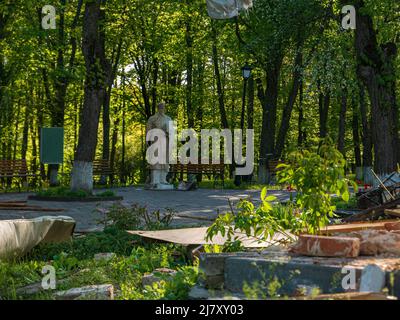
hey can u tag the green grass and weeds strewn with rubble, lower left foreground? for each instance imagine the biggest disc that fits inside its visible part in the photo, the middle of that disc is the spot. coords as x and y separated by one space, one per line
75 264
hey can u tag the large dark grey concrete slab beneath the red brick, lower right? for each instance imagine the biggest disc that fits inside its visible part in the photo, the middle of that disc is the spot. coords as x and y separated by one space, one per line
292 273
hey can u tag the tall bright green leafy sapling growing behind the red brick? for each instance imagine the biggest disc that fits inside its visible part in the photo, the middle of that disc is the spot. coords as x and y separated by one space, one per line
315 174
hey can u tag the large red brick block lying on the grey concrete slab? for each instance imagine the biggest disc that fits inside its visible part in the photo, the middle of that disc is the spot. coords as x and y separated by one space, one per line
322 246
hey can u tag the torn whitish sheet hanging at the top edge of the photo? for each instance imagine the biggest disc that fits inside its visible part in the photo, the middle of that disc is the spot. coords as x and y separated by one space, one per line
226 9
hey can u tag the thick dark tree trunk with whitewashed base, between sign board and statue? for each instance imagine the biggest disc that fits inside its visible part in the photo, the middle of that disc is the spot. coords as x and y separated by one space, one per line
93 48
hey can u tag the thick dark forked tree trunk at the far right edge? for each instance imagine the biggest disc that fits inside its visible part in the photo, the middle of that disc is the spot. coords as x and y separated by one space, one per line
375 68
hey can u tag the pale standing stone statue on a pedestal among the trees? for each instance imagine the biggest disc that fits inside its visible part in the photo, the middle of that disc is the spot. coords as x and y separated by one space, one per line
158 172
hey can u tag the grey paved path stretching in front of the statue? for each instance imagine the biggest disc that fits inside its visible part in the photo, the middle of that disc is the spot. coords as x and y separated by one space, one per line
197 207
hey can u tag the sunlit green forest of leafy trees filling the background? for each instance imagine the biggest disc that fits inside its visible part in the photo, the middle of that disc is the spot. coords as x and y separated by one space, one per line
310 78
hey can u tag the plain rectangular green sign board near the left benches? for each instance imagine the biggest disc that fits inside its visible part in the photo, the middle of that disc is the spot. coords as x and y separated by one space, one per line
52 145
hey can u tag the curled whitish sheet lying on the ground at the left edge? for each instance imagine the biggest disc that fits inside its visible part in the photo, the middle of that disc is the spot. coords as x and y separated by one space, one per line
17 237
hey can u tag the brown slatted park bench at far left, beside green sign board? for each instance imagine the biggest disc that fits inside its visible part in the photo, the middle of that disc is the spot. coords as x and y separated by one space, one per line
10 169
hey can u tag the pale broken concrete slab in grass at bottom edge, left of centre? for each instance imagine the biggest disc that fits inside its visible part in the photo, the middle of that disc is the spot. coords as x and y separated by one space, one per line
95 292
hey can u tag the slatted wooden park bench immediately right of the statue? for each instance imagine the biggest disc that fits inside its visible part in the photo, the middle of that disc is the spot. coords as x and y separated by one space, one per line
213 171
